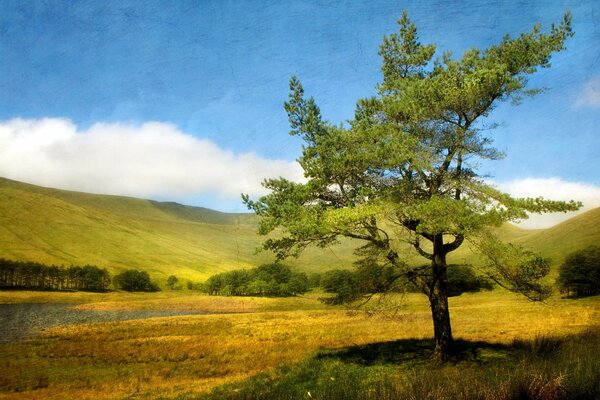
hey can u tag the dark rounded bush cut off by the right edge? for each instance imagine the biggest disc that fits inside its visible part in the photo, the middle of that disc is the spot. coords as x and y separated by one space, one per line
579 275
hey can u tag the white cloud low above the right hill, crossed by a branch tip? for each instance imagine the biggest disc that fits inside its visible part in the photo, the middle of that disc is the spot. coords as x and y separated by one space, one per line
552 189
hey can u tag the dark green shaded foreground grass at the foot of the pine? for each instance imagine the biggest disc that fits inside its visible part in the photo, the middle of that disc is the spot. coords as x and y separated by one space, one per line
522 370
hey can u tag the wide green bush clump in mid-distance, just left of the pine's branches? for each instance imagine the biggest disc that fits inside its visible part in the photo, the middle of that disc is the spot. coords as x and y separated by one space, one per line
266 280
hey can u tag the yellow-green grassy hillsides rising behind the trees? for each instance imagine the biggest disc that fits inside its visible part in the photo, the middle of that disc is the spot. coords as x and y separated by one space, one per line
64 227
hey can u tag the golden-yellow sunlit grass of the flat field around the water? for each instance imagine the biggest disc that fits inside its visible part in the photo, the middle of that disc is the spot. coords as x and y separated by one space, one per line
188 355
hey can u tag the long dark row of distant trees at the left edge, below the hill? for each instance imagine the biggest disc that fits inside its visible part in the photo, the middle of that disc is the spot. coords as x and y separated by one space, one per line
38 276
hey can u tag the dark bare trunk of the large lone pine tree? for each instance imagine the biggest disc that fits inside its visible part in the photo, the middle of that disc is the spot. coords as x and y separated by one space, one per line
438 300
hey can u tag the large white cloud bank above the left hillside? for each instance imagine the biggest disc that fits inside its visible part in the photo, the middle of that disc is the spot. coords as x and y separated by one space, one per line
149 160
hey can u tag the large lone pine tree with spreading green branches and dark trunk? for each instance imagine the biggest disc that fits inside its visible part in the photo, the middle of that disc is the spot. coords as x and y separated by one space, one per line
404 169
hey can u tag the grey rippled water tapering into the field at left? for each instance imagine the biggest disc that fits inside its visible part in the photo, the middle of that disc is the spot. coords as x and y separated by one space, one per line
22 321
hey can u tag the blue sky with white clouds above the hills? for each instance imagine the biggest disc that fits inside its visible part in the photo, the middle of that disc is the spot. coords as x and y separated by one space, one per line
183 100
